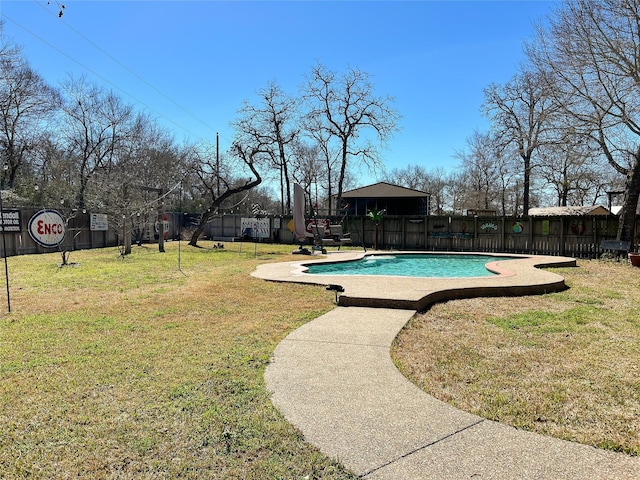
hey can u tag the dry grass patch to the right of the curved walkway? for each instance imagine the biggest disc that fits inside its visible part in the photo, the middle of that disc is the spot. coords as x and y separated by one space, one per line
565 364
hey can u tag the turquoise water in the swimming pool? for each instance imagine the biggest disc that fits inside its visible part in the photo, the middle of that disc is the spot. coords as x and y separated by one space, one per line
411 265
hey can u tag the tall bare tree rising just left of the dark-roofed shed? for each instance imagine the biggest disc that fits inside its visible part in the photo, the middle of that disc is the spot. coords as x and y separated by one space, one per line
349 113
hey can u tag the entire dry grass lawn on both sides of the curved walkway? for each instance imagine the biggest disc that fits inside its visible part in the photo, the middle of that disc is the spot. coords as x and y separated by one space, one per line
135 369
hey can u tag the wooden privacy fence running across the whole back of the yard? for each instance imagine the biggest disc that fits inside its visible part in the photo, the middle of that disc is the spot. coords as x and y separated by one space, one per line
579 236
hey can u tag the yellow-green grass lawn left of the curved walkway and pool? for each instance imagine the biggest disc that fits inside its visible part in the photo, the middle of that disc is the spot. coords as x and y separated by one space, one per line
134 369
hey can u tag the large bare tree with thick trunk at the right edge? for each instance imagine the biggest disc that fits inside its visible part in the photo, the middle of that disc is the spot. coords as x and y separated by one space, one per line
592 49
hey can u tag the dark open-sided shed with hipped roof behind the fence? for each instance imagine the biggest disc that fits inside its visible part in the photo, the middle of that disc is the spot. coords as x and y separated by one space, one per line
396 200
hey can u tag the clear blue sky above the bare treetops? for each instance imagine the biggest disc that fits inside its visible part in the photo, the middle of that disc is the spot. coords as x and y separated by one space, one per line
191 64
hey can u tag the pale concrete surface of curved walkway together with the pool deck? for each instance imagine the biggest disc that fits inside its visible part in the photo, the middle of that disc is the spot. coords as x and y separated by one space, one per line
333 379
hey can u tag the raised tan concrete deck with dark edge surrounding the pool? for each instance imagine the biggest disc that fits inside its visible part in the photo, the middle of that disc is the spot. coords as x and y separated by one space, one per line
516 277
